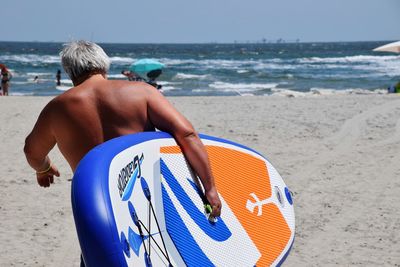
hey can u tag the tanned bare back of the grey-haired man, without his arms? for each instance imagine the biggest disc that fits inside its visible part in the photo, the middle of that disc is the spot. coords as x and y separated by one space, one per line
96 111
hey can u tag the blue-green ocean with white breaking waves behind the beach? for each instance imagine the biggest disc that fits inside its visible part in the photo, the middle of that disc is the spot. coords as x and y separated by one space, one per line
221 69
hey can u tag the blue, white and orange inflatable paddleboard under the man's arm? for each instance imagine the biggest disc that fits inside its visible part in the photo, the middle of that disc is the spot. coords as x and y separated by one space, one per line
136 202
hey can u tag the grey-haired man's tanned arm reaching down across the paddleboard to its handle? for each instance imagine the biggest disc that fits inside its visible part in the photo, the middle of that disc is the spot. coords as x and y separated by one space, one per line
166 118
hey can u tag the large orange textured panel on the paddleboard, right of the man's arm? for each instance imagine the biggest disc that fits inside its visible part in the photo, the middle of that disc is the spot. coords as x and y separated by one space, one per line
237 175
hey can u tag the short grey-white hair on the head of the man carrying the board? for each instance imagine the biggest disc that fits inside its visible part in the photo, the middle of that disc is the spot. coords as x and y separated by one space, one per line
82 58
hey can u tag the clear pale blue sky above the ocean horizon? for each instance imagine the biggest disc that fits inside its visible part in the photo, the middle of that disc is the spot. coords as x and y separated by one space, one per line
182 21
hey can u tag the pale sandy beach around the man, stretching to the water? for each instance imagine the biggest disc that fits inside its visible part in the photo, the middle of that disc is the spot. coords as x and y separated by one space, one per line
339 155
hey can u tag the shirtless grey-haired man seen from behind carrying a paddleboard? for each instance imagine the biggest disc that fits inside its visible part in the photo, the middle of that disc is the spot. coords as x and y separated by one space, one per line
97 110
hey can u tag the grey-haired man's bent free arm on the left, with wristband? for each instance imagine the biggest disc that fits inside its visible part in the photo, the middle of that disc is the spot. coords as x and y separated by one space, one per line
37 146
